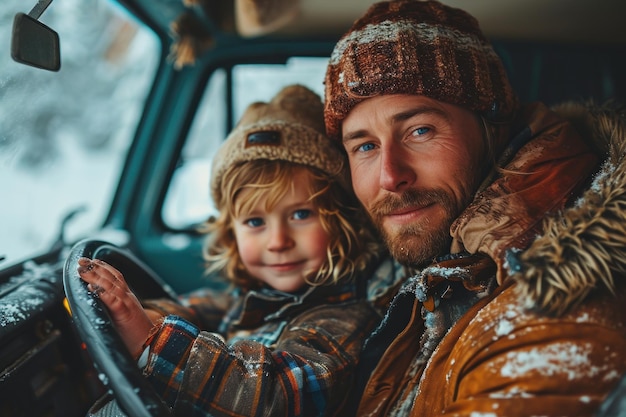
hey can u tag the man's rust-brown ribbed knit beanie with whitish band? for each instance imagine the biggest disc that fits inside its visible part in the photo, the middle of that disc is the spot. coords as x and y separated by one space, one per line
416 47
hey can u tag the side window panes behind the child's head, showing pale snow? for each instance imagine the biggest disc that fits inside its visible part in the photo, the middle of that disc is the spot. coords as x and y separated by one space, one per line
188 201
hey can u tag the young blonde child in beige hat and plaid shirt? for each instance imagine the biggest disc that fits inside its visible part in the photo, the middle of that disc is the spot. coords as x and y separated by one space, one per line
294 241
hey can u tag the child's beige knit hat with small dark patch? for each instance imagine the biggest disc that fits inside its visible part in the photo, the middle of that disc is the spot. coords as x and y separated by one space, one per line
290 128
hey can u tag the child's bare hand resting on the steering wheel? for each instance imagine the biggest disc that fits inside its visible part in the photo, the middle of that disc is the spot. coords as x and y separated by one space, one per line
127 314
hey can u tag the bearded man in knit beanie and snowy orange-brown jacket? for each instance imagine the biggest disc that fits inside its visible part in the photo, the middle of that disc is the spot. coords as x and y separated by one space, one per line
511 218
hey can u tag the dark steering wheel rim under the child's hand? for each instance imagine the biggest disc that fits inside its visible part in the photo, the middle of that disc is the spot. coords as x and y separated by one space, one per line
132 391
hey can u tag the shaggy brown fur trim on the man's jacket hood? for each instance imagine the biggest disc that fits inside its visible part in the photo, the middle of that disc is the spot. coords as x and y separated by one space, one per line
583 247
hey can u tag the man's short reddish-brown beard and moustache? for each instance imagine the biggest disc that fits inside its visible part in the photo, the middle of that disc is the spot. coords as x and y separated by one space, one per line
416 244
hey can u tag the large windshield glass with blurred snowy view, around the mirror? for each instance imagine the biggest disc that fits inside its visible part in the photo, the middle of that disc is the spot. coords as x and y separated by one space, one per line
64 135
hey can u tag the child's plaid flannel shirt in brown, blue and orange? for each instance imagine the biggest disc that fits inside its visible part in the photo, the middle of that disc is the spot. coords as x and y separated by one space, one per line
286 355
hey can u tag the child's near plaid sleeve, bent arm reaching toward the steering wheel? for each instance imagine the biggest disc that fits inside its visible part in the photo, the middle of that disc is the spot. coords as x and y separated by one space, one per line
308 373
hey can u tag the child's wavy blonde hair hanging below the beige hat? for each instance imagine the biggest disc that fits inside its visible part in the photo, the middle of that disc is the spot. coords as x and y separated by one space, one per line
350 249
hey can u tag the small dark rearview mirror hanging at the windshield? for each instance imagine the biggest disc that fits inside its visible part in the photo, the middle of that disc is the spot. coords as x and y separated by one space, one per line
34 43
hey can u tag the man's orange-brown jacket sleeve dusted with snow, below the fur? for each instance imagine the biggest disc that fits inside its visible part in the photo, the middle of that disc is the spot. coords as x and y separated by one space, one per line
511 362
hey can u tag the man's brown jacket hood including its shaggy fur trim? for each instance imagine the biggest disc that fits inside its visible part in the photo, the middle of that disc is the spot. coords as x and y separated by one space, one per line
554 216
